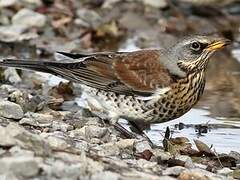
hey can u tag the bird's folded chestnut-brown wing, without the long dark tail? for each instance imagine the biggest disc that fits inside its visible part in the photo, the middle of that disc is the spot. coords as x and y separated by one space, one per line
138 72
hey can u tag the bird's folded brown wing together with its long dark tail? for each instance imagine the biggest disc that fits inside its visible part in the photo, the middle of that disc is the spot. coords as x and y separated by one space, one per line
134 73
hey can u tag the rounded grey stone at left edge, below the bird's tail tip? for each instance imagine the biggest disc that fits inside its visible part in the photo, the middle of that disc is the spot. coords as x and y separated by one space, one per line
10 110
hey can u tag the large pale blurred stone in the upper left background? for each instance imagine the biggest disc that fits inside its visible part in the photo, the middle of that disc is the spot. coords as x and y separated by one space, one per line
29 18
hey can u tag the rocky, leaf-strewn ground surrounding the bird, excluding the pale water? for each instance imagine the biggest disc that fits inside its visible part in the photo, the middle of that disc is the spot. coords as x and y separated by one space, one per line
45 135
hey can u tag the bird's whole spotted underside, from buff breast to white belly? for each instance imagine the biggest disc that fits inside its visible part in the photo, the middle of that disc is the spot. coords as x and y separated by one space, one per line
175 102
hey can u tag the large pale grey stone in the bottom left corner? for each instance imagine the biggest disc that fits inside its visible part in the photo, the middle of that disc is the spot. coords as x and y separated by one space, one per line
20 166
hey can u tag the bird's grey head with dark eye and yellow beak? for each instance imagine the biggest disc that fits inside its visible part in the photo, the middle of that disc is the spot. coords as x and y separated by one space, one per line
193 53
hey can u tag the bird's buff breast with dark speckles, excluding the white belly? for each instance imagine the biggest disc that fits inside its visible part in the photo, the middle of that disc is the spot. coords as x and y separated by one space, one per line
180 99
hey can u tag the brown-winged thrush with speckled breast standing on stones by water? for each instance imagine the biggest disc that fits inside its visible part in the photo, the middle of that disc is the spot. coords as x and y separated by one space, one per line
145 86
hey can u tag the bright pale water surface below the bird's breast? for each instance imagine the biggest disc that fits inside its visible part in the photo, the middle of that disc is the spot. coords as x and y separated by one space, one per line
223 139
